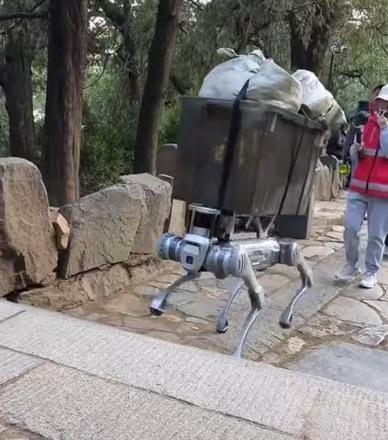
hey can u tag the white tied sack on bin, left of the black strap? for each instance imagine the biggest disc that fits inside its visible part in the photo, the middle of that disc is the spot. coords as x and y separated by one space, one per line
227 79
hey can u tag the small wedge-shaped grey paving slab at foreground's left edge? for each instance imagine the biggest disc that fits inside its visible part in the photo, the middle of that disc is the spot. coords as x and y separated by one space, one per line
13 365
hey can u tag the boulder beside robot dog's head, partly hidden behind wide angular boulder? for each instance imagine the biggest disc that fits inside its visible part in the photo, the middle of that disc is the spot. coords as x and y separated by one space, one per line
156 205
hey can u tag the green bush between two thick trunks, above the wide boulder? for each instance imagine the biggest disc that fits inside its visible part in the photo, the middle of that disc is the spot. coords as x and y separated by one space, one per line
109 132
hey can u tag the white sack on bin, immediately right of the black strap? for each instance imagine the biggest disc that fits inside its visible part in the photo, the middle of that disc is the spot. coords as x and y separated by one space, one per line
273 85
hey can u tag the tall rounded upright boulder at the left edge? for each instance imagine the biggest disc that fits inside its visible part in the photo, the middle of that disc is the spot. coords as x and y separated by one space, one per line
28 254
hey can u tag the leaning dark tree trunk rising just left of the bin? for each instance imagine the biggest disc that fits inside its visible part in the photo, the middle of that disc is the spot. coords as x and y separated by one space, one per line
159 66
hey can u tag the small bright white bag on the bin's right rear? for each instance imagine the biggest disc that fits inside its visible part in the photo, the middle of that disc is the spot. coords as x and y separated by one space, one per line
315 96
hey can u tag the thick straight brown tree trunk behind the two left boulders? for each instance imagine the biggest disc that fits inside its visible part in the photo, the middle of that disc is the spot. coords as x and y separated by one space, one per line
66 59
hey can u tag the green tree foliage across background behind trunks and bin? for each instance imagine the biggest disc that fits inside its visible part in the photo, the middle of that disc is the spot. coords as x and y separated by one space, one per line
110 118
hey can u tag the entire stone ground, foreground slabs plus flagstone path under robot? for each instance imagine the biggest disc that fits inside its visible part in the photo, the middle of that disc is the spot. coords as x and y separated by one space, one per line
99 377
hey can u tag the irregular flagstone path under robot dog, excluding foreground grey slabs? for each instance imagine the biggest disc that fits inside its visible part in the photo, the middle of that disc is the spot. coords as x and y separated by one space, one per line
336 329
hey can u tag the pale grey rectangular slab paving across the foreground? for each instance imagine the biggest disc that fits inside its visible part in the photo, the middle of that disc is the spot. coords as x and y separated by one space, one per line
68 379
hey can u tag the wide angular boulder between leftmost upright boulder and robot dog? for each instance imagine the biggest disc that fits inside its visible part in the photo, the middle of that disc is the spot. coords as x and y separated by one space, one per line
103 228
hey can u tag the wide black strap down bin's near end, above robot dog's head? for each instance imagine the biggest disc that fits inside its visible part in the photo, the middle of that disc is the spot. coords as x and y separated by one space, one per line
231 144
